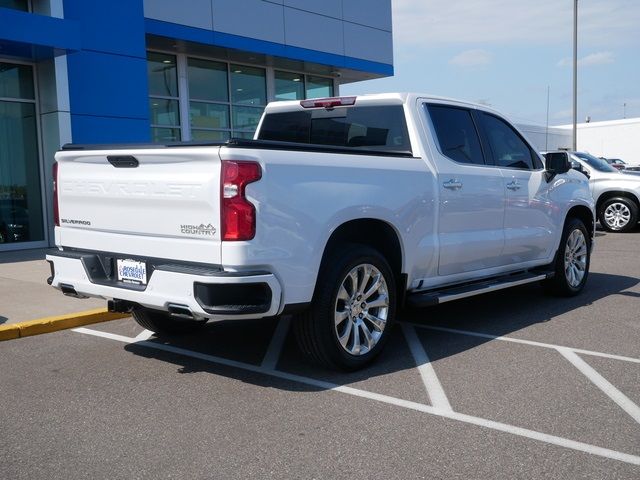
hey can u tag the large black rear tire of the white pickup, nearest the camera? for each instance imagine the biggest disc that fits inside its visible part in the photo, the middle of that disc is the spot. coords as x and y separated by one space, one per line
316 330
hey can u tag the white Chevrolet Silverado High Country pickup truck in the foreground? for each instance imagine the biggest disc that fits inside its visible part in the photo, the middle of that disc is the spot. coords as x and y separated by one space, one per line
339 211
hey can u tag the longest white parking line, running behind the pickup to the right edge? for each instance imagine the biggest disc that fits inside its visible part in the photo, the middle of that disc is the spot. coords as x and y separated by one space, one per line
483 422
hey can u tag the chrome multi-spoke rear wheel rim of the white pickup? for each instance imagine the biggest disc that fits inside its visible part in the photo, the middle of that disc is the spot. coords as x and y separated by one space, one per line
361 309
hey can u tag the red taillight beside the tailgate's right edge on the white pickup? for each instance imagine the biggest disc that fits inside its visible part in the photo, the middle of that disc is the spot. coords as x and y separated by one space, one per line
238 215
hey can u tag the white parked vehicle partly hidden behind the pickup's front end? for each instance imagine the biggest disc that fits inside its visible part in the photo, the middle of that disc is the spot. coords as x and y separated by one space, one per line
617 194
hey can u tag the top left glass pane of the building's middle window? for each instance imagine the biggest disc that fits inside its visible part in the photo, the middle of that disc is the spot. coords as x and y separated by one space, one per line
208 80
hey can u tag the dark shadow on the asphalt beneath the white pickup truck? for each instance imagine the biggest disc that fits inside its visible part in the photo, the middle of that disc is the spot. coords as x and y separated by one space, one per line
500 313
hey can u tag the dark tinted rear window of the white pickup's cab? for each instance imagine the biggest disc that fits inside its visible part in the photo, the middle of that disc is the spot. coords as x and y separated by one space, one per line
381 128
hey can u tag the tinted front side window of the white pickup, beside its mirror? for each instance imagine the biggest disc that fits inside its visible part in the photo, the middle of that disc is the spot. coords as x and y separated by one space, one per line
506 146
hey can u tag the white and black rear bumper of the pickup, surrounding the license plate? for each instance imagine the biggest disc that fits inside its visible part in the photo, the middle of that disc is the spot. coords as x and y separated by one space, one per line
205 291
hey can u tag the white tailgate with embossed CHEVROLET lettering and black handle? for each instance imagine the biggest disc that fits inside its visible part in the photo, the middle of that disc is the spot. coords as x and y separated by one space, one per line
161 203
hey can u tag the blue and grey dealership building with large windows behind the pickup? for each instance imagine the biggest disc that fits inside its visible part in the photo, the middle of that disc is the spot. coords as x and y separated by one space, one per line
114 71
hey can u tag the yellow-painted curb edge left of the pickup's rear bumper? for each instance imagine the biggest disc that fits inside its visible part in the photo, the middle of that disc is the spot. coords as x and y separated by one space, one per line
60 322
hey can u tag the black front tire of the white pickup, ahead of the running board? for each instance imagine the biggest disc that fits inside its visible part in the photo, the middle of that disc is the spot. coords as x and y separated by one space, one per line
562 283
